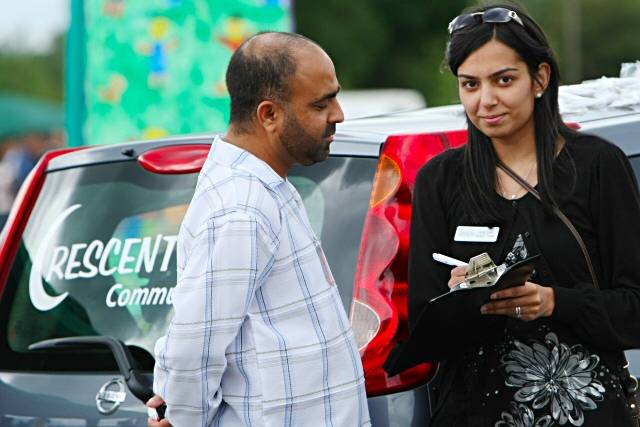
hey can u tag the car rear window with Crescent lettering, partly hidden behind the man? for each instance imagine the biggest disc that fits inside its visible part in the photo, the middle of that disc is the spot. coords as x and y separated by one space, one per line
98 255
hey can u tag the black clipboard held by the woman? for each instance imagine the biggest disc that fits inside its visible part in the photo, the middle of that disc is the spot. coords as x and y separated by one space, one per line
452 321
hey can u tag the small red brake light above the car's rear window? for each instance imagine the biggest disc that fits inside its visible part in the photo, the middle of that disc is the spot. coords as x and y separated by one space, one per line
175 159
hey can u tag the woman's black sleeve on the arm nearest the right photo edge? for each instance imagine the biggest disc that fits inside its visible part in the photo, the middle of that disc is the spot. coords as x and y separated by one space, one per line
610 317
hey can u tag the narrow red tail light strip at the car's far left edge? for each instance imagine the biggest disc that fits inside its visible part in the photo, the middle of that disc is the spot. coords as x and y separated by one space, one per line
21 210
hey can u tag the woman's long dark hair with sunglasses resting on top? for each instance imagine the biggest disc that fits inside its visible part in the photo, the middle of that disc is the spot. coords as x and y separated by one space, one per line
530 43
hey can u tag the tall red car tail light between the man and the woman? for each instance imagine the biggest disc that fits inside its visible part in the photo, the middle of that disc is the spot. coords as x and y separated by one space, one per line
379 309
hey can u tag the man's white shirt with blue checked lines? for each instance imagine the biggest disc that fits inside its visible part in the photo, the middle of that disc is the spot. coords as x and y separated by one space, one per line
259 336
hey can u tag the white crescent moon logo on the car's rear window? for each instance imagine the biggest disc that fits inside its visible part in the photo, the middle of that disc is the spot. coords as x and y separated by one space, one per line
39 297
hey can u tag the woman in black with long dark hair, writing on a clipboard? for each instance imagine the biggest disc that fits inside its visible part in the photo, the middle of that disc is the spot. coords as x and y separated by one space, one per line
550 352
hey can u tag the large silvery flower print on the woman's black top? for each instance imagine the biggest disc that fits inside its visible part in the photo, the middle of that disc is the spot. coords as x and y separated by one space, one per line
556 375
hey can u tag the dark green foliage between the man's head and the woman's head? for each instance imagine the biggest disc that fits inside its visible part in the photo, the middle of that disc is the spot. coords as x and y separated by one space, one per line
384 43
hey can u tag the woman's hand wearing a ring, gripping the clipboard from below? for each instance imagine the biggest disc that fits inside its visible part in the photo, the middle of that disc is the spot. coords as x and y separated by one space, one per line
527 302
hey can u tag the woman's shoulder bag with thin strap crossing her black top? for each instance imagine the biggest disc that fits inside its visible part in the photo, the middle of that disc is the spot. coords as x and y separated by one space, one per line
632 382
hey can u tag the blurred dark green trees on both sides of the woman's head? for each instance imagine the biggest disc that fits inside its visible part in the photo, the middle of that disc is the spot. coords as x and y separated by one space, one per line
391 43
